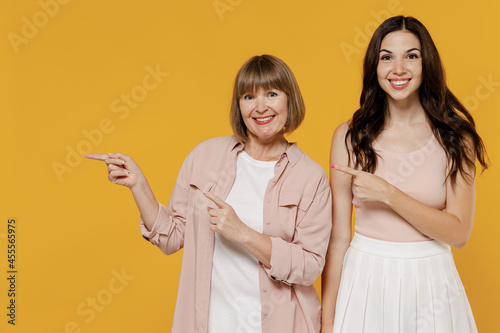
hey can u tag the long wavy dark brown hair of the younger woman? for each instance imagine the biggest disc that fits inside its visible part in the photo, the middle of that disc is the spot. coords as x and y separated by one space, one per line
451 123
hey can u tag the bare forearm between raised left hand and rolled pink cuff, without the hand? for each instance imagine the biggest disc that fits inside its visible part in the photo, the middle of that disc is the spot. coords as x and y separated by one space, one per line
146 202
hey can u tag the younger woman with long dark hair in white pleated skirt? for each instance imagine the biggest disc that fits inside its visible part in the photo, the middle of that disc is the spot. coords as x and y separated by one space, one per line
406 160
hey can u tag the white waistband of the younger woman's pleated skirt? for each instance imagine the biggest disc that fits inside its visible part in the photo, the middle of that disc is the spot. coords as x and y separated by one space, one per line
398 250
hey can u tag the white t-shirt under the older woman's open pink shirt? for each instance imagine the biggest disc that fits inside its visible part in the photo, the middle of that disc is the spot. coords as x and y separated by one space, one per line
235 293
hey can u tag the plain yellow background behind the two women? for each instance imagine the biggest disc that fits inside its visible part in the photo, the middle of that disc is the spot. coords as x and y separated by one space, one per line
77 231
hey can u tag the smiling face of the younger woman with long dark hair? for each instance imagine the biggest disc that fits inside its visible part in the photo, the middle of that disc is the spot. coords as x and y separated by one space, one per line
399 69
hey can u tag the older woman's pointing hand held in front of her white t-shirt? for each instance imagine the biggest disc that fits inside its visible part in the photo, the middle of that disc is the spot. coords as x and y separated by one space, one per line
225 221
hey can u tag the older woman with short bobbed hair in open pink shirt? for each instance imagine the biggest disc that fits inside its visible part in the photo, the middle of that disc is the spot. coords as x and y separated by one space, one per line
250 259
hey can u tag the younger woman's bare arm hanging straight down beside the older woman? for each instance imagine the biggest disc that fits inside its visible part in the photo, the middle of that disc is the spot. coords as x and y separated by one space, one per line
341 186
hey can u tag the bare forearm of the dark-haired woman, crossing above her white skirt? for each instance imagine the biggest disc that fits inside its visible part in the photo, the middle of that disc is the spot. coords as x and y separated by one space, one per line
437 224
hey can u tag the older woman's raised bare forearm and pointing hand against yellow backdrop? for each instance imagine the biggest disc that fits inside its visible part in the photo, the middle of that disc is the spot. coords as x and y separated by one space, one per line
123 170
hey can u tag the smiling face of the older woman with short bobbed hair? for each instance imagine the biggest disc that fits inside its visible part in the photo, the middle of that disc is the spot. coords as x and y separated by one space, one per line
264 113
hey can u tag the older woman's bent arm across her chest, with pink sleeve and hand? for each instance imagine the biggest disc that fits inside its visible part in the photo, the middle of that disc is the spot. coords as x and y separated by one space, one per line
300 260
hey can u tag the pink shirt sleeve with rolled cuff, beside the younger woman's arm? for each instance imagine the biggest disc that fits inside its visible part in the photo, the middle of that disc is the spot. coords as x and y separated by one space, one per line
302 260
